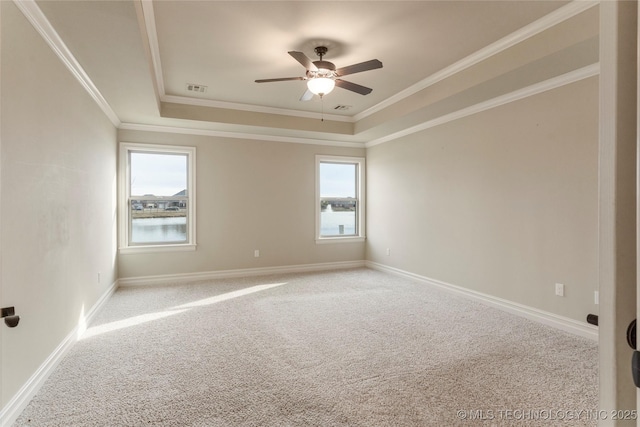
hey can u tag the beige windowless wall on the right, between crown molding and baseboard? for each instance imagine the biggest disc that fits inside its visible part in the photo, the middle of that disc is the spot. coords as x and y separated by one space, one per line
503 202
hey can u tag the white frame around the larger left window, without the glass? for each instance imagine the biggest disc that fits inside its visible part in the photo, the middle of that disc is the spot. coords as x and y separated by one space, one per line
124 172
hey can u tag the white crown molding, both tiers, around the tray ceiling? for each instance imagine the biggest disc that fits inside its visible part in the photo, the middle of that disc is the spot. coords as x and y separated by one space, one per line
36 17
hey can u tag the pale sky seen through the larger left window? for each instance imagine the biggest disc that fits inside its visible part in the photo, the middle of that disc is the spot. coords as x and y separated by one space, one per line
158 174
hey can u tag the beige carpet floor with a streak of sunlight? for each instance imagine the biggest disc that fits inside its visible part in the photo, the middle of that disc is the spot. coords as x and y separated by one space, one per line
341 348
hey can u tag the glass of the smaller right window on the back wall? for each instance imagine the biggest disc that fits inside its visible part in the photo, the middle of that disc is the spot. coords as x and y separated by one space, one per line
338 203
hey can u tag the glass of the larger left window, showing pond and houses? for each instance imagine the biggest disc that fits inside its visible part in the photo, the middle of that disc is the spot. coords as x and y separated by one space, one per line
158 198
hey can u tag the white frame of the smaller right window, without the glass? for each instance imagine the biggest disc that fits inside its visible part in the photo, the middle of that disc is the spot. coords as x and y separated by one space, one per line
360 236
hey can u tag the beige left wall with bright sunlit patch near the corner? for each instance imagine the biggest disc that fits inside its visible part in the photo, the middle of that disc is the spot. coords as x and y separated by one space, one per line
58 183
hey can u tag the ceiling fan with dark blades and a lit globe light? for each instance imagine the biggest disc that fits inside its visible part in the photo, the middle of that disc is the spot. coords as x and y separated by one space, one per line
322 76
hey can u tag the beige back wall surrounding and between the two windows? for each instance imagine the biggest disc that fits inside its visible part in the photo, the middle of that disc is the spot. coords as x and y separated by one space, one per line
250 195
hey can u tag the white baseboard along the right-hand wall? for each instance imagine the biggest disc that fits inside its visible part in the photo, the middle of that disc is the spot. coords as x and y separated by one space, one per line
560 322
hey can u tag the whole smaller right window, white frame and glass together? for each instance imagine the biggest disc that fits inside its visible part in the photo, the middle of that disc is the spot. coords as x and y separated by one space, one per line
340 199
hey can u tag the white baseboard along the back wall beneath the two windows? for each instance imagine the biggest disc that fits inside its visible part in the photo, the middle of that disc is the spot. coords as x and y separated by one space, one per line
223 274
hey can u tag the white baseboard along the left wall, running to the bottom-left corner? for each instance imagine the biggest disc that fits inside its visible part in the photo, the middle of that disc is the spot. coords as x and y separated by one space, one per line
16 405
